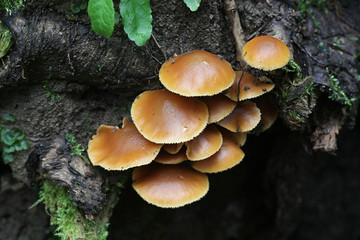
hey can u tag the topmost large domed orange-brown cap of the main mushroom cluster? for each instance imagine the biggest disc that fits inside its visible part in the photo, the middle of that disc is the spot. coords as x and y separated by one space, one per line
197 73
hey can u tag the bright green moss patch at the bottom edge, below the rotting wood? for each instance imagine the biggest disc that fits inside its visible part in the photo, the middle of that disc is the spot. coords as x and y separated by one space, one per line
69 223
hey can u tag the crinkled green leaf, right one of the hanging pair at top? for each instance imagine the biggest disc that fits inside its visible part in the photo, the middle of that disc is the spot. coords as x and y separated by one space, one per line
136 17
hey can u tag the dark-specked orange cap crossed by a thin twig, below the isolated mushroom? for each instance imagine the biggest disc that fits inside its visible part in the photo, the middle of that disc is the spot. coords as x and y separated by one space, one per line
250 87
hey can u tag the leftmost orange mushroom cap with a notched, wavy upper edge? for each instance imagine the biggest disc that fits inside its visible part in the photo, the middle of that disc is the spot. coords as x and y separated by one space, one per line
120 149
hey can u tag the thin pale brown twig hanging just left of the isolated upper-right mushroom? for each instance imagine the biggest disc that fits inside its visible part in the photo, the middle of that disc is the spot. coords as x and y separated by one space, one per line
237 30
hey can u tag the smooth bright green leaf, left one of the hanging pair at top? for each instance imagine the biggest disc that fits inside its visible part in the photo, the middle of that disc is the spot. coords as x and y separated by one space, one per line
102 16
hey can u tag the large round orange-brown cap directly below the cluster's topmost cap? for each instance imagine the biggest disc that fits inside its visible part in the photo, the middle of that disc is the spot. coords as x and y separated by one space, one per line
165 117
